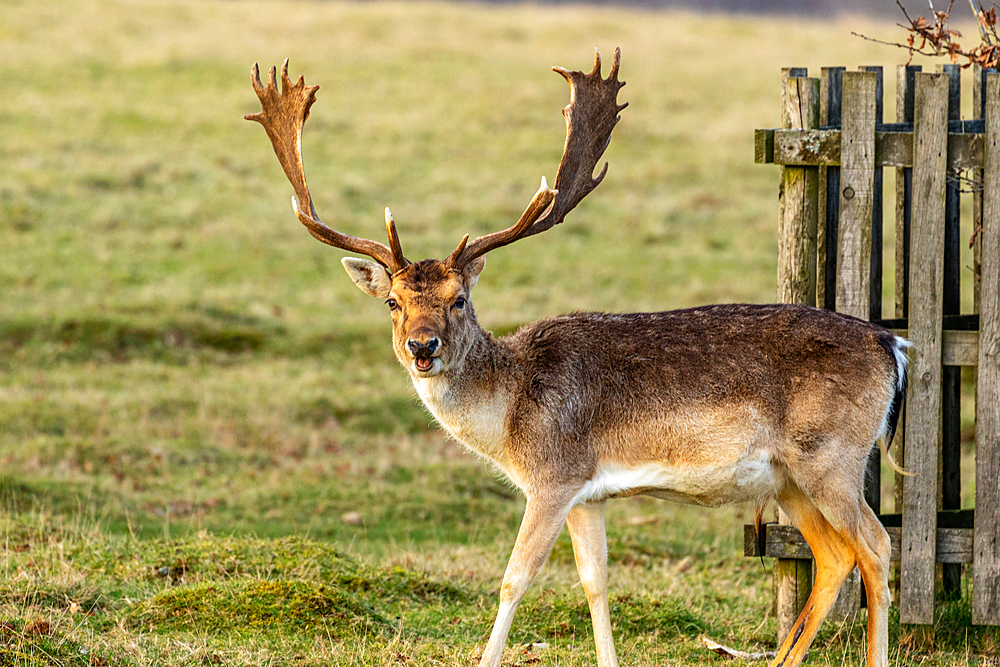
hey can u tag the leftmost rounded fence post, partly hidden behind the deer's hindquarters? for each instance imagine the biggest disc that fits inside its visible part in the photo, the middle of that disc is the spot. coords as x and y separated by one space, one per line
798 208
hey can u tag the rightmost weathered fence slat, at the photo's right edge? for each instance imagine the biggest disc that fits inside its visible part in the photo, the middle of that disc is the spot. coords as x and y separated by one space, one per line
986 540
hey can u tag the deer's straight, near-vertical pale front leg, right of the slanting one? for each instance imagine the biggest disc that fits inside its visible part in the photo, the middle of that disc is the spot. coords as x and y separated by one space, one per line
590 547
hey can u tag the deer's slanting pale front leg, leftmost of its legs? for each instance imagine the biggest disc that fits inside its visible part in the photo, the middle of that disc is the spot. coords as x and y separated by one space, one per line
544 517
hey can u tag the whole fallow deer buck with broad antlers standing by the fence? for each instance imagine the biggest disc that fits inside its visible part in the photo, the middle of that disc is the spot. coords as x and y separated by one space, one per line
710 405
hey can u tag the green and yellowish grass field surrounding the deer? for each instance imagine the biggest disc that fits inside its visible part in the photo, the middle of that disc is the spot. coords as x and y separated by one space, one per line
208 453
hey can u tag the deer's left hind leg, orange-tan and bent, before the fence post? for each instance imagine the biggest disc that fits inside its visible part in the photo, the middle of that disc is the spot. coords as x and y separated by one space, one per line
835 558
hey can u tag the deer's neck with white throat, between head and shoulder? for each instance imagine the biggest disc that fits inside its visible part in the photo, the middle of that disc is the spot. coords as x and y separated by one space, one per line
472 399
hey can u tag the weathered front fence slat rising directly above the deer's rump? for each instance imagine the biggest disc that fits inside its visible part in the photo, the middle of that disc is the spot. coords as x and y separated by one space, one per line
857 175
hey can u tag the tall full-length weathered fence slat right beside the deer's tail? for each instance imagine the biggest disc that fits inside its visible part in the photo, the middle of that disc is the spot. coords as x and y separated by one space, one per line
923 414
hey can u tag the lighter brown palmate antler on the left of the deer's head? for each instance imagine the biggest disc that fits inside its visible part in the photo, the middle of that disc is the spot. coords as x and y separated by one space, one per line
283 115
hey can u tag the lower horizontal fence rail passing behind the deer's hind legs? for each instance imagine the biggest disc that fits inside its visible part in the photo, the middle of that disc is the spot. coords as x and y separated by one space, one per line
953 545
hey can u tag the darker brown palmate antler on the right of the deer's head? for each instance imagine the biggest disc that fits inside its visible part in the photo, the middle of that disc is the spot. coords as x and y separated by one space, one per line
591 115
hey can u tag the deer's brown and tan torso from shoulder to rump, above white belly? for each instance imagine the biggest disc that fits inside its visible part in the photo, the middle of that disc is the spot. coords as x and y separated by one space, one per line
698 387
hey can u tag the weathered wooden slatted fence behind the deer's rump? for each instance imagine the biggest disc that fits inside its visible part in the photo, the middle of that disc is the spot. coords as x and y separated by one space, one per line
833 147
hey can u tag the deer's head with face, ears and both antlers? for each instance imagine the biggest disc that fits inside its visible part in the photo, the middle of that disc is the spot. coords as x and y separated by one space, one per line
434 323
